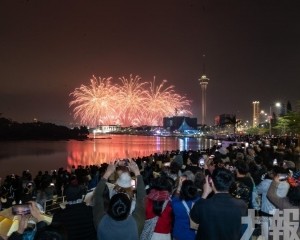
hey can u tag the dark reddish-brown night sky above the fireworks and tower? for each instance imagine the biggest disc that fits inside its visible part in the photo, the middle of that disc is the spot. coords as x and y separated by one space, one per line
50 47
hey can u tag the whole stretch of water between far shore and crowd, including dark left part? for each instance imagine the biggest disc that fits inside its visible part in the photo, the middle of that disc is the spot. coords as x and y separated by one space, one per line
15 157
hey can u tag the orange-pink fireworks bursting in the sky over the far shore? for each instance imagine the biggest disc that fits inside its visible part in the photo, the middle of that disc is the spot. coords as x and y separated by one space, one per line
133 102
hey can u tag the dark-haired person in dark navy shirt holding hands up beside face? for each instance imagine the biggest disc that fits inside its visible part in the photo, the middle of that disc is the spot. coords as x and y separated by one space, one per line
213 214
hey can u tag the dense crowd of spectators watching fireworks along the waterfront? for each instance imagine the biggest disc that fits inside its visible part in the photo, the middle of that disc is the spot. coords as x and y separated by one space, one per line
175 195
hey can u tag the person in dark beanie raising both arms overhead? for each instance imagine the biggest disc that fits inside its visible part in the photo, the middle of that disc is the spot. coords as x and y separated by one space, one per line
116 222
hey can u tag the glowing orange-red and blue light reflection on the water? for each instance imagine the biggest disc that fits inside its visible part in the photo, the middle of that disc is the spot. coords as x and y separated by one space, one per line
118 147
